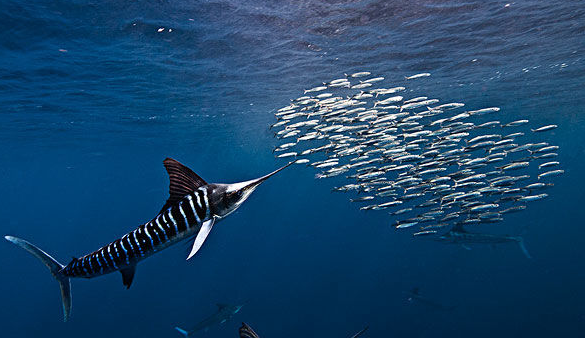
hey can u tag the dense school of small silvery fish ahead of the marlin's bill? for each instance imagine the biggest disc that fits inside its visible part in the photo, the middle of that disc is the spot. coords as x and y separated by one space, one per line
431 165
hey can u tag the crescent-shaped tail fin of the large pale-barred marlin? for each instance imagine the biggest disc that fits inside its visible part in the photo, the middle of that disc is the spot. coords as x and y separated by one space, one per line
53 266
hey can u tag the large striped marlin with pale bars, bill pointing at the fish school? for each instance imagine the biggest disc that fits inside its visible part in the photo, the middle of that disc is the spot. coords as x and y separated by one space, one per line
192 209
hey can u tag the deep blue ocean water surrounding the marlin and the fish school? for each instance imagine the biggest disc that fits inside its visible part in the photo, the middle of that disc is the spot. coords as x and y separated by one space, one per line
94 95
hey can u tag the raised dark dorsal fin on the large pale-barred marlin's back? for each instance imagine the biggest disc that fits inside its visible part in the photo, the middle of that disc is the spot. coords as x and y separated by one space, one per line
183 181
